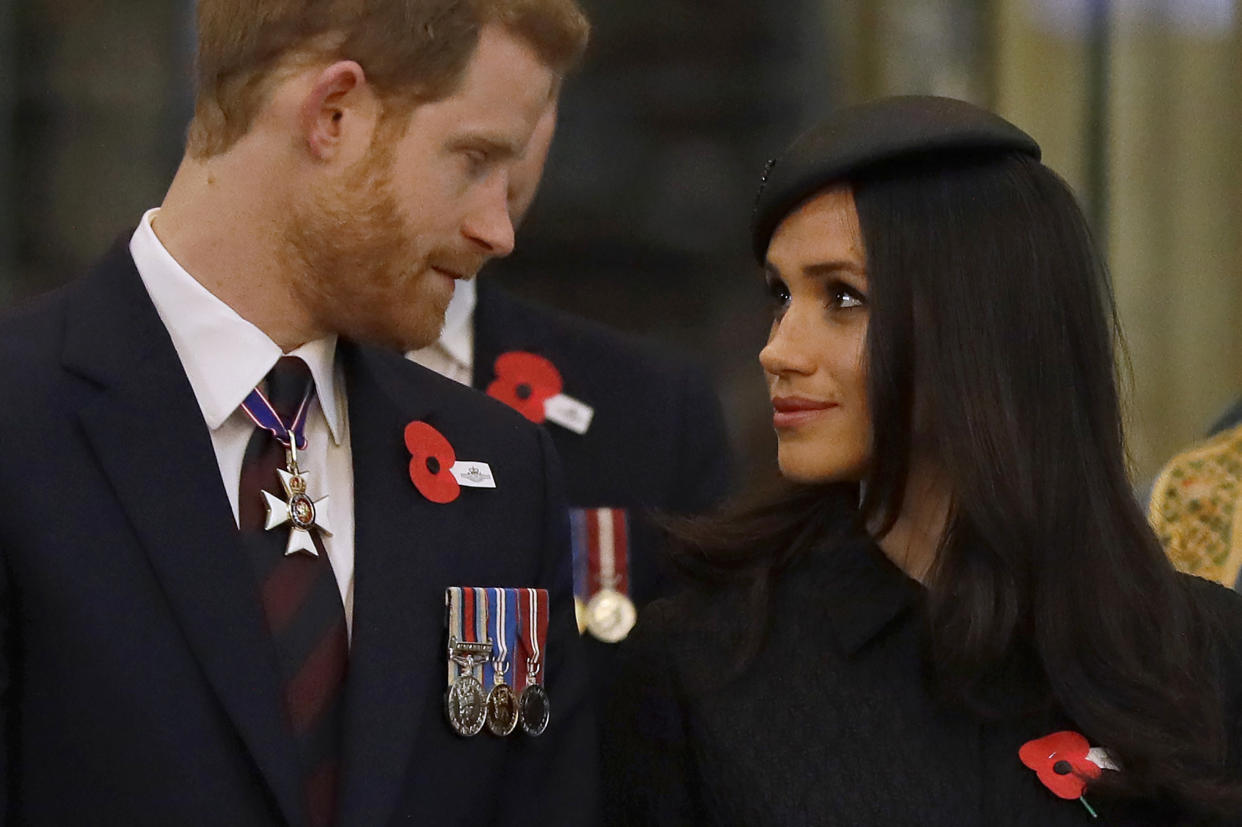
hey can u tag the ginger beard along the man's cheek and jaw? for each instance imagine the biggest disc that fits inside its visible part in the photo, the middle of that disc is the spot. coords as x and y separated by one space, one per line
360 271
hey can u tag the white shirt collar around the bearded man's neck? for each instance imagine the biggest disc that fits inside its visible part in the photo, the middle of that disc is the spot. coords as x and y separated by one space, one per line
224 356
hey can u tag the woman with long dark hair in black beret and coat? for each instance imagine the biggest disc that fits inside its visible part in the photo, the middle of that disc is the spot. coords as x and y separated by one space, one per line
956 615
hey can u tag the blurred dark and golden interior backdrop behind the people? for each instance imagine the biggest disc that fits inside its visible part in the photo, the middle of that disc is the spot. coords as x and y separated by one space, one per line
643 218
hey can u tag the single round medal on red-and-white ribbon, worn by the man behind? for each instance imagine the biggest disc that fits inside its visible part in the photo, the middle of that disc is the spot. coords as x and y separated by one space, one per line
602 541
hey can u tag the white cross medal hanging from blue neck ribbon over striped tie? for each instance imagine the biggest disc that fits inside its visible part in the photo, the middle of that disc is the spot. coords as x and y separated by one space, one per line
297 510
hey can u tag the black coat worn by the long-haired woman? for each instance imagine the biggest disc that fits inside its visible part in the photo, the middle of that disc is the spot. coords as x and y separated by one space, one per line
834 722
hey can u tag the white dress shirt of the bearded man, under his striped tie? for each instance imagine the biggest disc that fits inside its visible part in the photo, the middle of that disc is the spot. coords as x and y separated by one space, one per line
225 357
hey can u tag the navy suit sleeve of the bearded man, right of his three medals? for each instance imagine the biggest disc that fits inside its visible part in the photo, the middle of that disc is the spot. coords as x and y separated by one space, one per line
562 784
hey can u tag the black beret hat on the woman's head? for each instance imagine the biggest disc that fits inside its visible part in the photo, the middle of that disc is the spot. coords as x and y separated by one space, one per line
874 133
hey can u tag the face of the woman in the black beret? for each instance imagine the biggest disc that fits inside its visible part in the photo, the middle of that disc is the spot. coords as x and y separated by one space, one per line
814 359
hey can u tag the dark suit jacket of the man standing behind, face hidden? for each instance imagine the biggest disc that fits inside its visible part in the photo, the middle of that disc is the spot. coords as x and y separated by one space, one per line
658 441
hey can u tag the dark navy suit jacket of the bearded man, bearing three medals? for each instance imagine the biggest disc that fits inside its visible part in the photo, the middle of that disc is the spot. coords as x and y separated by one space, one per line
138 681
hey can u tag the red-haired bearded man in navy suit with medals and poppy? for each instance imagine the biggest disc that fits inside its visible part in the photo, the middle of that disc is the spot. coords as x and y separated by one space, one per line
172 654
